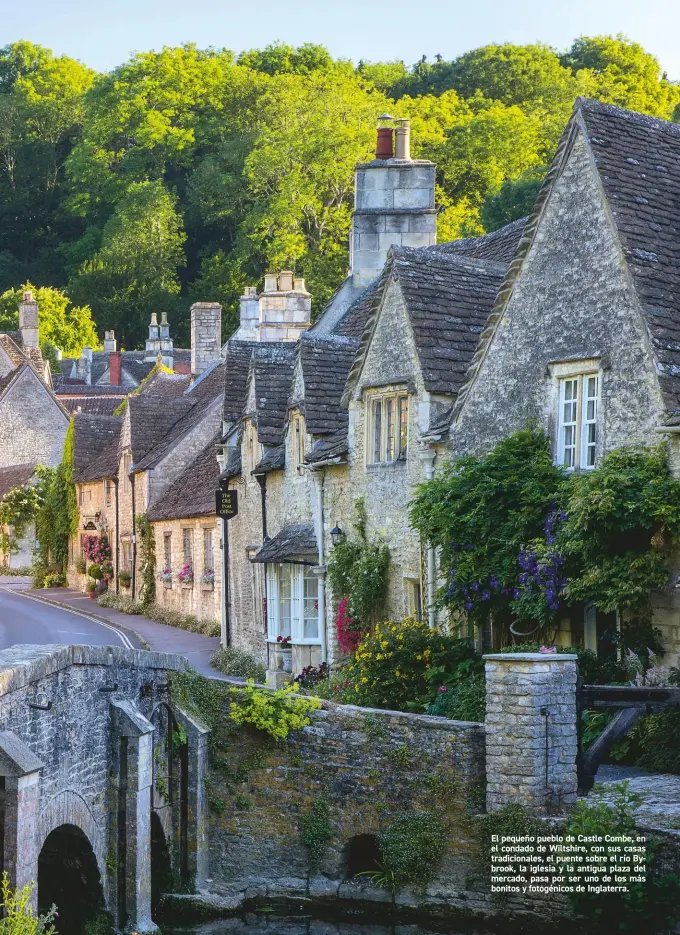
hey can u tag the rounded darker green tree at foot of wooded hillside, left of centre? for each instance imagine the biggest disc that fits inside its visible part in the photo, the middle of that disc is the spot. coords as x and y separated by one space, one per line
136 270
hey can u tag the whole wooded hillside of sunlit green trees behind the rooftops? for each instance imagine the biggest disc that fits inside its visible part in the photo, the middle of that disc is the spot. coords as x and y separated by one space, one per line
184 173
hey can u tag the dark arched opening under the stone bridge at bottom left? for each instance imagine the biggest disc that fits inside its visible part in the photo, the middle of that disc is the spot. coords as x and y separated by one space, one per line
68 878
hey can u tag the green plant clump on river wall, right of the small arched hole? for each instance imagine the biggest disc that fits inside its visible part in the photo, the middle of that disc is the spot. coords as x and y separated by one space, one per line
412 848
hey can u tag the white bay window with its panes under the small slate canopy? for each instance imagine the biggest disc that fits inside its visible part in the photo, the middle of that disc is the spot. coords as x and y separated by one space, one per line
292 603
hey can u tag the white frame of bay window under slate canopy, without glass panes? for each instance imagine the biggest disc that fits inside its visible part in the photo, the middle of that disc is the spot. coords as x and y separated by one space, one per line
299 574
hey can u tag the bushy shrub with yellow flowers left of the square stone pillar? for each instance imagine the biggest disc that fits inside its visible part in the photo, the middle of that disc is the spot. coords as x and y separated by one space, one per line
400 666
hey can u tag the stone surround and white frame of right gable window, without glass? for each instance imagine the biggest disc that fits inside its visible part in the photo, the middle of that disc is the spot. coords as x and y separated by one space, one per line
562 373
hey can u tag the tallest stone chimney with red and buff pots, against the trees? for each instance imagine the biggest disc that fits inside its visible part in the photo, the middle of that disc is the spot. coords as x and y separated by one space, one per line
393 203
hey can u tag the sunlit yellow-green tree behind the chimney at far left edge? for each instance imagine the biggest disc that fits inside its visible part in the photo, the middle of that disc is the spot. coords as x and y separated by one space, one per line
61 324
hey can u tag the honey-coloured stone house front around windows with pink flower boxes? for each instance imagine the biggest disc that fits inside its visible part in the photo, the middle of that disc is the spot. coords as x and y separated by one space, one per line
201 600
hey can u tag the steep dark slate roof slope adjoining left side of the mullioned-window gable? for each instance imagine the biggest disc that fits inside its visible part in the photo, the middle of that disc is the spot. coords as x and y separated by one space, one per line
325 362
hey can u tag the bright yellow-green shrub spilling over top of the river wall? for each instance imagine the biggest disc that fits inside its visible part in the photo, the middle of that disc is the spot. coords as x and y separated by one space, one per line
274 712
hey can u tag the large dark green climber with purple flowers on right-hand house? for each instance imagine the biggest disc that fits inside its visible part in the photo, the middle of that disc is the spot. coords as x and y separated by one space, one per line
521 539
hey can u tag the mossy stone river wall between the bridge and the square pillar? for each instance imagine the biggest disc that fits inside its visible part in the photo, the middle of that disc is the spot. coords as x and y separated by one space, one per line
369 766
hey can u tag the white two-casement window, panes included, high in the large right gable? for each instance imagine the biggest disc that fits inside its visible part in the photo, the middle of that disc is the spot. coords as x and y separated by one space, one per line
579 404
